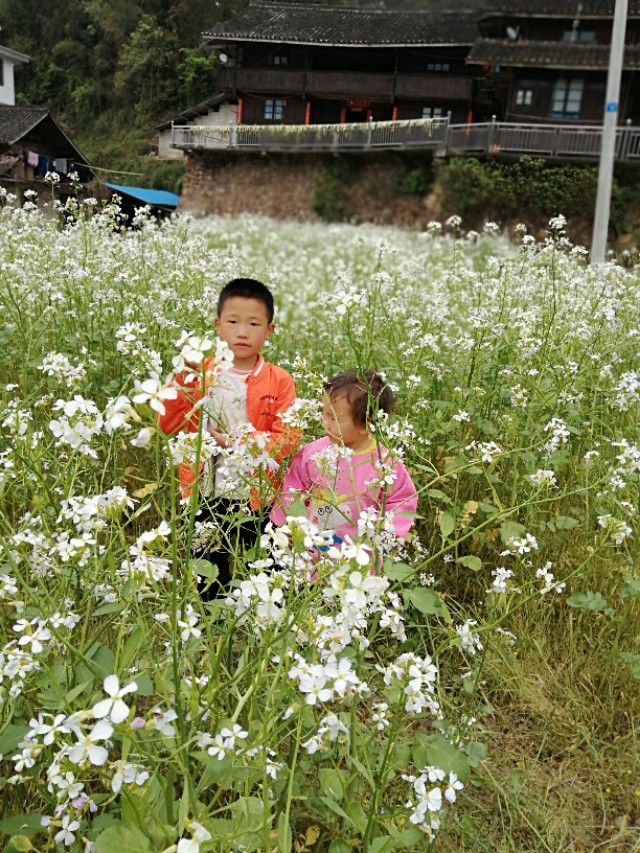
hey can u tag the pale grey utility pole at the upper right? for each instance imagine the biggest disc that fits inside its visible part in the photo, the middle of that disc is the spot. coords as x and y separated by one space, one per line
609 126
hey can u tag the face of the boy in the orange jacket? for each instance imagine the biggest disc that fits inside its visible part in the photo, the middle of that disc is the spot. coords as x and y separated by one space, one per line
244 324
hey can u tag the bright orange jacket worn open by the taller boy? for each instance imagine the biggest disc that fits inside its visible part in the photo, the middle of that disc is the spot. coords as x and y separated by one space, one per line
270 392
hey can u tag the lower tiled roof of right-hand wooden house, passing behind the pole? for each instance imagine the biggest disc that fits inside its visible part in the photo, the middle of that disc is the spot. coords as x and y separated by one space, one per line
547 54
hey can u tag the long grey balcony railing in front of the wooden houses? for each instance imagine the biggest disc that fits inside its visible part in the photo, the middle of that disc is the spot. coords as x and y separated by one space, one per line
566 141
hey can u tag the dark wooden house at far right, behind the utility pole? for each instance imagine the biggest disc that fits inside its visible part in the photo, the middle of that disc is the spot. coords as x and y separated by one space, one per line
547 61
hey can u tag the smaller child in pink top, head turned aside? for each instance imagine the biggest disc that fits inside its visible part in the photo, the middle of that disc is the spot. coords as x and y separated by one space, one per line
340 489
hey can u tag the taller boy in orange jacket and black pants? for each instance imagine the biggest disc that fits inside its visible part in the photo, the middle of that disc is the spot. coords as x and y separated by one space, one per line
253 394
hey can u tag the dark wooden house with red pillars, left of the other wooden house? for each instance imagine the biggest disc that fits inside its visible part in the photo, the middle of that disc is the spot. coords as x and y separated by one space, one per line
288 64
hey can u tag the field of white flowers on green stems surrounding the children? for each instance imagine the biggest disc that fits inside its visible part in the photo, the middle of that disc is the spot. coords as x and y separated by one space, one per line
481 693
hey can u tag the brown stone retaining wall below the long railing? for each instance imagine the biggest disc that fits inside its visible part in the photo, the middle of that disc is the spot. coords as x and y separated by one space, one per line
285 186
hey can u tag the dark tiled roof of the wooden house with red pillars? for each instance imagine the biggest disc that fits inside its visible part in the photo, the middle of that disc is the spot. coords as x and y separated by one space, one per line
306 23
